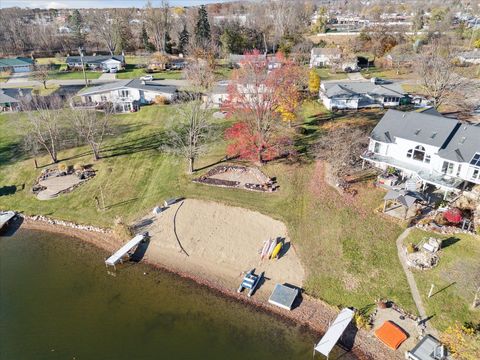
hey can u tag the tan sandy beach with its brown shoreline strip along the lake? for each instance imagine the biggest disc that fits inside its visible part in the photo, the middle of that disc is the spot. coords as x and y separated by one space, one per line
222 242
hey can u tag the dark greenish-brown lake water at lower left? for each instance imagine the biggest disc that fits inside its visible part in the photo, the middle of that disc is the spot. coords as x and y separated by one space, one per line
58 302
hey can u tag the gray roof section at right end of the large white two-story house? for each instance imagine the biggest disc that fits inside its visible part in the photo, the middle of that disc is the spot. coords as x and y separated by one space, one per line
463 144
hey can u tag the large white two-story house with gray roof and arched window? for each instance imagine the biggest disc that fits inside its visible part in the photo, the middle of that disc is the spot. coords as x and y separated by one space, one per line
427 147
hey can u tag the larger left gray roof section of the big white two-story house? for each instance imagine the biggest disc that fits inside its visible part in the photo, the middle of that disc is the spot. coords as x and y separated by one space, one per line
423 128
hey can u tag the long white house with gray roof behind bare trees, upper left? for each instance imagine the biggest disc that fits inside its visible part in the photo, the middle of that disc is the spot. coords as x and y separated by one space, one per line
127 95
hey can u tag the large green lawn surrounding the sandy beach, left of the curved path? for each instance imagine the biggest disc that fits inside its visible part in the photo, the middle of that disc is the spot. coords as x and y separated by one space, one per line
348 251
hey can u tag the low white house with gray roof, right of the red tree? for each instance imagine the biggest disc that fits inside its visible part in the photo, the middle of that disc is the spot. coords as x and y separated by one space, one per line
355 95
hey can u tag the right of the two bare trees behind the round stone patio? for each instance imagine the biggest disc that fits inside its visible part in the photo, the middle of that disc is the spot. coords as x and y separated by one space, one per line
92 127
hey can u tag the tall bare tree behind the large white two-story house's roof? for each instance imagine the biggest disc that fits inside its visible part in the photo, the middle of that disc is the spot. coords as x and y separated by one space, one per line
436 71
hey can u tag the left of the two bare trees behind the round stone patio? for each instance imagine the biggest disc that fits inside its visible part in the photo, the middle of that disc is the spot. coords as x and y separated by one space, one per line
45 124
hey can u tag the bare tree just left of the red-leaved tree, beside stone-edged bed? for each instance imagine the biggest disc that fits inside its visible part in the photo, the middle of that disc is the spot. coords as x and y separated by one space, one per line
190 137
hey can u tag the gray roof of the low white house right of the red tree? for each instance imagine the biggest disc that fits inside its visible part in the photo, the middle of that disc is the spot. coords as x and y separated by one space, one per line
360 88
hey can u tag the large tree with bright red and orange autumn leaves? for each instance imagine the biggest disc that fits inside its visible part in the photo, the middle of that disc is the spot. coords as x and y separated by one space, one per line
256 98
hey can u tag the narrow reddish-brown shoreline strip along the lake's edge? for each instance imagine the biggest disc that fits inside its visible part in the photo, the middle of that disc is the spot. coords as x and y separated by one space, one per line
312 313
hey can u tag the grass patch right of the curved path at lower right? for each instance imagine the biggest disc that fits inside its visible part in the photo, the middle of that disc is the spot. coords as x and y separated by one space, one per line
455 278
